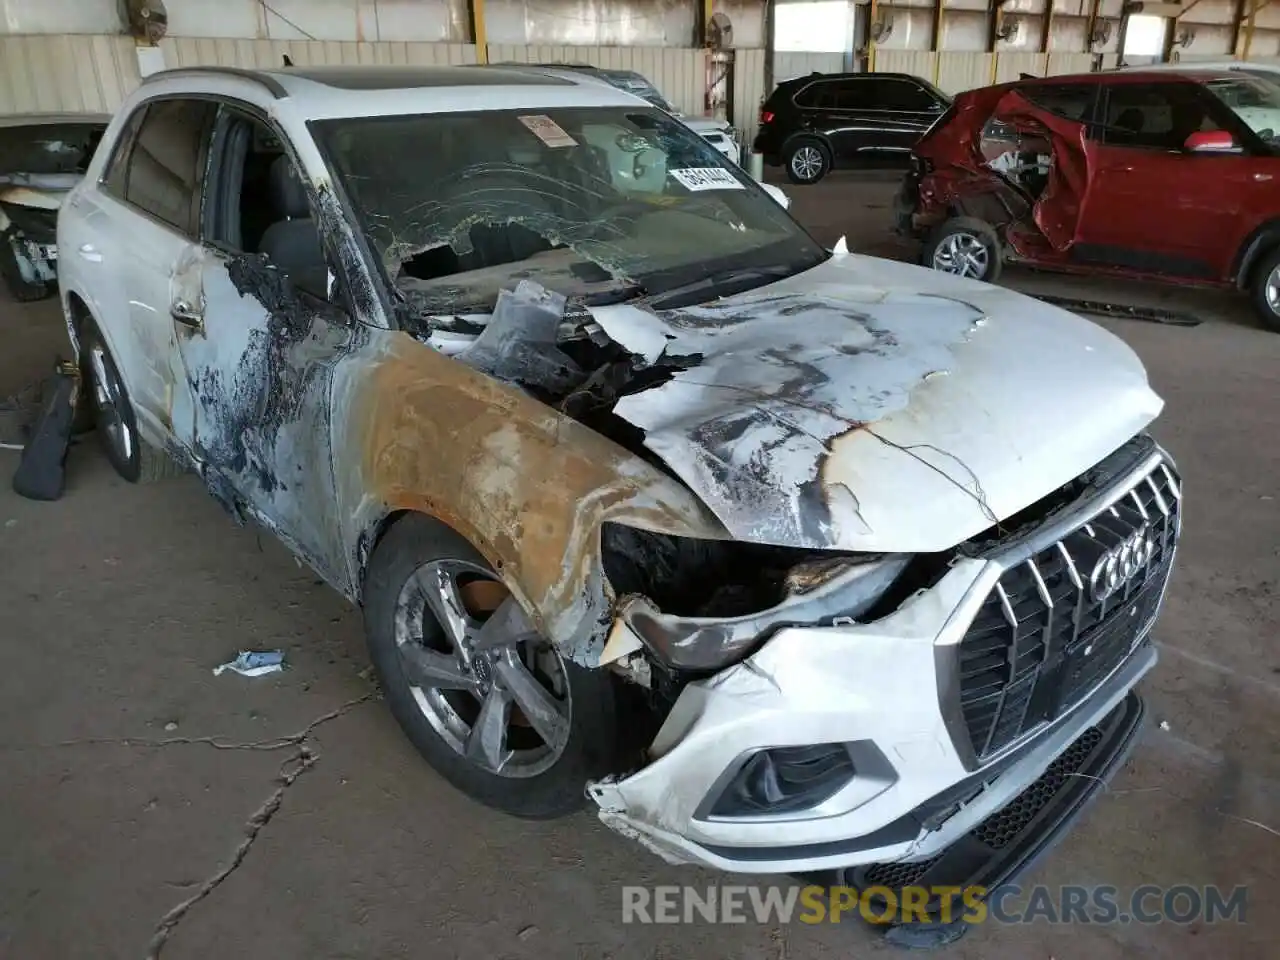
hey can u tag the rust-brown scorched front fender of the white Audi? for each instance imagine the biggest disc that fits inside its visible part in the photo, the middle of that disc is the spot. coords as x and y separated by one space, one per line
529 487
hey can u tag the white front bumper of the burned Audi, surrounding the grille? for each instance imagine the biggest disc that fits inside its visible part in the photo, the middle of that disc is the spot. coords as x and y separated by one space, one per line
888 692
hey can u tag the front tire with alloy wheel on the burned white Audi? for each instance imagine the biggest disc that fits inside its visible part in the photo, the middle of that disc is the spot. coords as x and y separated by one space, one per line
501 715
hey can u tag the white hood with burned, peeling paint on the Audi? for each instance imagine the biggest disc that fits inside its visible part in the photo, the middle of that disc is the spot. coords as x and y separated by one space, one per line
875 406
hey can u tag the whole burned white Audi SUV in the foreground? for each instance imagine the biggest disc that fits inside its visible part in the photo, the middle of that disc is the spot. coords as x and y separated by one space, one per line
861 557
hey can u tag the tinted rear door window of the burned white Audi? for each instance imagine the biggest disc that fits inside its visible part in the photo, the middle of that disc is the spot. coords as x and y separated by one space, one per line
164 167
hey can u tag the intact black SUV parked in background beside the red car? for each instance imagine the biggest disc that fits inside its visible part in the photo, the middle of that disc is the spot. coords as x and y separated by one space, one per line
817 122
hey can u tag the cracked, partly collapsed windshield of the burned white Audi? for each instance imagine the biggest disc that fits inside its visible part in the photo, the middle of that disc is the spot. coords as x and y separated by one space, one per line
598 204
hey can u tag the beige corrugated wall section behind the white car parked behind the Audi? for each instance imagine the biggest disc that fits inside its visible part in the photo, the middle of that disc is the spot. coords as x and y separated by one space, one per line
679 74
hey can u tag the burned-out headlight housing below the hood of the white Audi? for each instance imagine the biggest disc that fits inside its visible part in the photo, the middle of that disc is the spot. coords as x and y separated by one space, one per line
702 605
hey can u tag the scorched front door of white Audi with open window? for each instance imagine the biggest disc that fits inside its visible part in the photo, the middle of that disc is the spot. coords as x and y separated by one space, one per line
258 345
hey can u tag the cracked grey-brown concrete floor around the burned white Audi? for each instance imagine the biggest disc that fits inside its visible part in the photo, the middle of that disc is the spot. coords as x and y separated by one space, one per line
117 601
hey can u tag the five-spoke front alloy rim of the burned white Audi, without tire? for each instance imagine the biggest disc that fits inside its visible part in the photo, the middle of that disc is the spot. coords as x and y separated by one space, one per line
486 682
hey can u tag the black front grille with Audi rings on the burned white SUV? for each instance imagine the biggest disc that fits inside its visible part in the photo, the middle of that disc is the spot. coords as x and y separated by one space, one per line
1049 634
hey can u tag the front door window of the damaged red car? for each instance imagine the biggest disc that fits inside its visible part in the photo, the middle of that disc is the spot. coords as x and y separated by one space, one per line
1156 116
